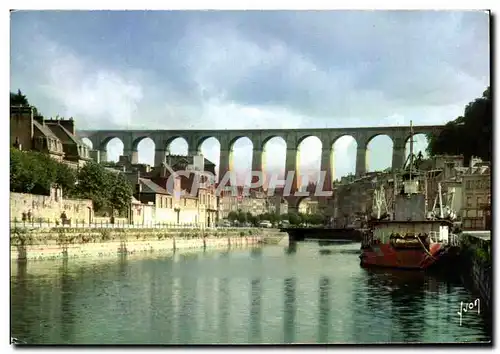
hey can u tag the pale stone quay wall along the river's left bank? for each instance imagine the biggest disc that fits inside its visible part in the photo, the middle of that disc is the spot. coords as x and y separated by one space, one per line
40 244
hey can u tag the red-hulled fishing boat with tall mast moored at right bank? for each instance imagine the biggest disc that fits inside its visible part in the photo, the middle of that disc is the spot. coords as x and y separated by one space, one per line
409 237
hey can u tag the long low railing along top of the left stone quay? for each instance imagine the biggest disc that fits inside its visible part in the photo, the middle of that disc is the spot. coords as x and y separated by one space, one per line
47 224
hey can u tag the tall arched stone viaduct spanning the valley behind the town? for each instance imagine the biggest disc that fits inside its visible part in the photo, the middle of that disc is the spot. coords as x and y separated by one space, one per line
259 137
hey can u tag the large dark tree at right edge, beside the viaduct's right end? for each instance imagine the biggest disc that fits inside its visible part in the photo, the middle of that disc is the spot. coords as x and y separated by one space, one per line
468 135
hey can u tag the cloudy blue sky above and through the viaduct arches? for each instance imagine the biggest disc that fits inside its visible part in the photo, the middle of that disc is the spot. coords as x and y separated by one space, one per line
252 69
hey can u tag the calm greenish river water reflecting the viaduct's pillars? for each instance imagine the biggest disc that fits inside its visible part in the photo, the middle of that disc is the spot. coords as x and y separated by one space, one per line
309 293
